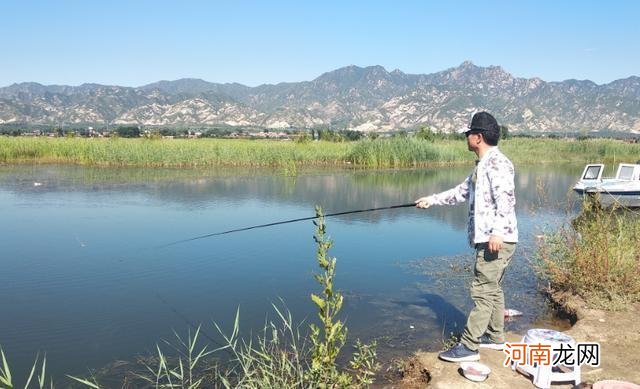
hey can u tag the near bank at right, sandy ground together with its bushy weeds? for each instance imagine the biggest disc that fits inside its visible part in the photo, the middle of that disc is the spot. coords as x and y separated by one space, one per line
590 264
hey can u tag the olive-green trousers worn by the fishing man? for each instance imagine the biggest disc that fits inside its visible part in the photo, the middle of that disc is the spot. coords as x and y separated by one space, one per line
486 291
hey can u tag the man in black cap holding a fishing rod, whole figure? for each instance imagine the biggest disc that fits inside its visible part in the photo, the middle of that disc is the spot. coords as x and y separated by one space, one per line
492 231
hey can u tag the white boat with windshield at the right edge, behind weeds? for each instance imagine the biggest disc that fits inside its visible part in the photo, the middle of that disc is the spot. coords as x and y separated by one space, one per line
622 190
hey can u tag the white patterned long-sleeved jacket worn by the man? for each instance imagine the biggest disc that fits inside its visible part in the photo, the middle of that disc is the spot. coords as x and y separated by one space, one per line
490 190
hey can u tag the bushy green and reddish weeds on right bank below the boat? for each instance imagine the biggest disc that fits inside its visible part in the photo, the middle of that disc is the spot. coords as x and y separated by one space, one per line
596 256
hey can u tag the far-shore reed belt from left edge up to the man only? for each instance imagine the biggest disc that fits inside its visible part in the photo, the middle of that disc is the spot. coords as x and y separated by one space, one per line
396 152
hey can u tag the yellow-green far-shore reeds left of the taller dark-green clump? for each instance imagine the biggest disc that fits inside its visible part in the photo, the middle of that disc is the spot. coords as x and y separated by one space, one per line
168 153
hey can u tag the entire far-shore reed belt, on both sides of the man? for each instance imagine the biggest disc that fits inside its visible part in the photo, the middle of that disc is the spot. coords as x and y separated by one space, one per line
397 152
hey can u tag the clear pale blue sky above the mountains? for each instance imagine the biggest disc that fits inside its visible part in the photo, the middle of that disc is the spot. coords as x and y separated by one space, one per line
136 42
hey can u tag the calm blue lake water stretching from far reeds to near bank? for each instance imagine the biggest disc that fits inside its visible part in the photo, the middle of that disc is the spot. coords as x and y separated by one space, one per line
82 277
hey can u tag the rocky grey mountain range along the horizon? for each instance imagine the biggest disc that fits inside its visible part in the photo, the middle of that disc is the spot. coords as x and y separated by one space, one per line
352 97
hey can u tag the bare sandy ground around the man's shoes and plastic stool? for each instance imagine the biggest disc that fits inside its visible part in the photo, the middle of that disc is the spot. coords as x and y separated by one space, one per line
618 334
